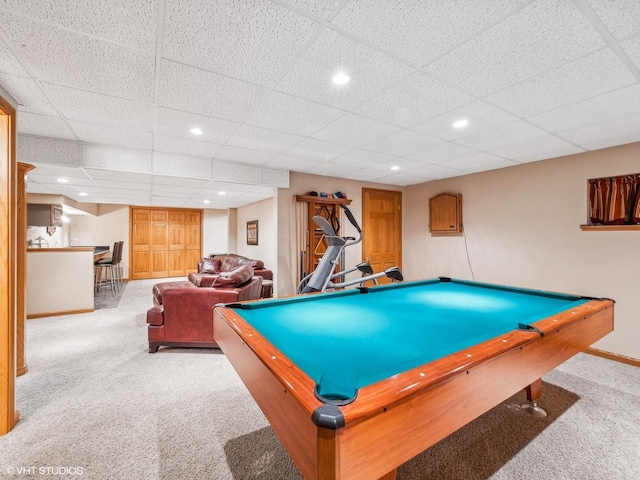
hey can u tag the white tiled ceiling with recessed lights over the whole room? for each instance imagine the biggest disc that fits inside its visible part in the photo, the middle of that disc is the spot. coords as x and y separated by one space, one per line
109 90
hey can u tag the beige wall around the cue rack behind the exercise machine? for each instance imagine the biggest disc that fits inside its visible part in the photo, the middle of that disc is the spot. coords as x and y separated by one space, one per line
289 212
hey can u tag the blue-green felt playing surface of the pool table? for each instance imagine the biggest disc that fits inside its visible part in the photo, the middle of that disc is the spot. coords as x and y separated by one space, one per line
347 340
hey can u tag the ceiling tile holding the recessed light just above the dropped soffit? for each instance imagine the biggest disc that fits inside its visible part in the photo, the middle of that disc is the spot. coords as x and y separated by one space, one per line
175 123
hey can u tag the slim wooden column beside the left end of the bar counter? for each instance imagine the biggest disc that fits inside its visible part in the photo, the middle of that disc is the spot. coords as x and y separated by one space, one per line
21 257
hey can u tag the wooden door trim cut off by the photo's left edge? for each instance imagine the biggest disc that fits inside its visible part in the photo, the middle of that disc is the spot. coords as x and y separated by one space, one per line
8 414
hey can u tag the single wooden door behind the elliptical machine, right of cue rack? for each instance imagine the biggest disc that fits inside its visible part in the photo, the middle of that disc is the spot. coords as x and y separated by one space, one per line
382 229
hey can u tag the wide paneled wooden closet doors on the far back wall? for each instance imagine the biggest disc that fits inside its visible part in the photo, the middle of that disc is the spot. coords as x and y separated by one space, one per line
165 242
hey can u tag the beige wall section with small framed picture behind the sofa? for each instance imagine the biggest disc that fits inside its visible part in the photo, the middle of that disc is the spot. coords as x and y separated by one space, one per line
265 212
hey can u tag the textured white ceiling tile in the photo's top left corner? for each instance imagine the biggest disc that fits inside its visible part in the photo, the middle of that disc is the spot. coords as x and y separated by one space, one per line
134 26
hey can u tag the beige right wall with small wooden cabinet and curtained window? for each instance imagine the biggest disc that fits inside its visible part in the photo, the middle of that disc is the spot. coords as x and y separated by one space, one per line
522 228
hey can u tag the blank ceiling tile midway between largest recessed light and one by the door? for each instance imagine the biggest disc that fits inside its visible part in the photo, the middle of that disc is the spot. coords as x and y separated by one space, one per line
355 131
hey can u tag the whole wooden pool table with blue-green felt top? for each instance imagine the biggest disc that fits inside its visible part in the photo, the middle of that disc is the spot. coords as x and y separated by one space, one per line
356 382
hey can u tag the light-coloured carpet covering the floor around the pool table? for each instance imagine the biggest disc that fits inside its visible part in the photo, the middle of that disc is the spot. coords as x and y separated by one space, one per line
95 399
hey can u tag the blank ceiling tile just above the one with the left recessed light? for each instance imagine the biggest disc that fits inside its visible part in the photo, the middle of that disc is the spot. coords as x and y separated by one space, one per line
187 88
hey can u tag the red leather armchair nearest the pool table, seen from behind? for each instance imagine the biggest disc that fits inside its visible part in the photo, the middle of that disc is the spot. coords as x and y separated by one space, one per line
183 313
